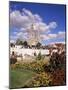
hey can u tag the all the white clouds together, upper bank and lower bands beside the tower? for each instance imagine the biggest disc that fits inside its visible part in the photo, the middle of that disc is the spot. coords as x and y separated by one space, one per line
23 21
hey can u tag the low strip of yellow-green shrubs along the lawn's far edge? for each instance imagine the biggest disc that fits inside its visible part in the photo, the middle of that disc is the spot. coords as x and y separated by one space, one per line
36 66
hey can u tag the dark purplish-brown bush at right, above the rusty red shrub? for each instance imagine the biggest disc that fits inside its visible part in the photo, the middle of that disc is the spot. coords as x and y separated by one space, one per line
57 61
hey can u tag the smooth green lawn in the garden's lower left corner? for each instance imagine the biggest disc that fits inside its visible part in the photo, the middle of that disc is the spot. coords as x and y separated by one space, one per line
18 78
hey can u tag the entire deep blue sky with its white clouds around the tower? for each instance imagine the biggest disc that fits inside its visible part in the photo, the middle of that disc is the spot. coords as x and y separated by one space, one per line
49 17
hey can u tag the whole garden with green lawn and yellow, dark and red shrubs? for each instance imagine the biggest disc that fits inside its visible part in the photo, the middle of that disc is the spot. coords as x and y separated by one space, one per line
39 73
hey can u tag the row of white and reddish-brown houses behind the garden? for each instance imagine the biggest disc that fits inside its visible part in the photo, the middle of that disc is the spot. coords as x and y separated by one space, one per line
30 51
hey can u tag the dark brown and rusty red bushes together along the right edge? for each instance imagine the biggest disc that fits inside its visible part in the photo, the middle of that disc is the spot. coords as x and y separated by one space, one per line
57 67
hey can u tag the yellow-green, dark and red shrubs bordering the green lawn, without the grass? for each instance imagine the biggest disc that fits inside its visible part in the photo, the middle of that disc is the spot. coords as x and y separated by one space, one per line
46 74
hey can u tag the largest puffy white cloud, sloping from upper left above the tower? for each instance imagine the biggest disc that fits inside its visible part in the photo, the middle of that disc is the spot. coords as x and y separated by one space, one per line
25 18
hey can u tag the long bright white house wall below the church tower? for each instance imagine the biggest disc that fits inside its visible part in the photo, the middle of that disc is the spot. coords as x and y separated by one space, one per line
24 51
